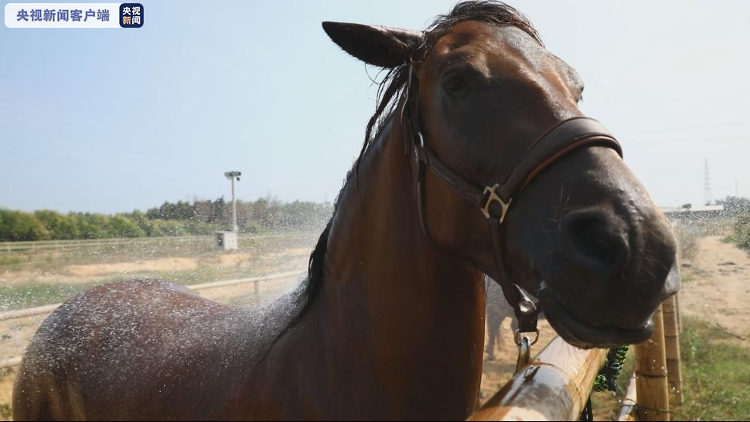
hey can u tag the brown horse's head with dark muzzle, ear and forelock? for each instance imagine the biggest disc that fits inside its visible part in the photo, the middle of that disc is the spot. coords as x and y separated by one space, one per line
480 96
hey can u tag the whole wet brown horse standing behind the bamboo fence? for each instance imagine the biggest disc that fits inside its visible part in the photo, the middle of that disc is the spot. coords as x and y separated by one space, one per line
478 90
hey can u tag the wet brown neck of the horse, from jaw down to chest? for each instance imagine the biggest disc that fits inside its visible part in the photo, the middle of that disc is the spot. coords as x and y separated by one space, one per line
395 310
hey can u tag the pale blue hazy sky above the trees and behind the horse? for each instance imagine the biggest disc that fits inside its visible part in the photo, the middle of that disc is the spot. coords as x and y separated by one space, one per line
114 120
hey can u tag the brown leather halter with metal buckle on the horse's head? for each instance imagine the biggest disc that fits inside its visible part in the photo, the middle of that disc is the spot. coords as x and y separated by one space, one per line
495 201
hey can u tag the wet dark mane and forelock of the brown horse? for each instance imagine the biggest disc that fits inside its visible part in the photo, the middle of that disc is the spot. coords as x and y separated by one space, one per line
390 92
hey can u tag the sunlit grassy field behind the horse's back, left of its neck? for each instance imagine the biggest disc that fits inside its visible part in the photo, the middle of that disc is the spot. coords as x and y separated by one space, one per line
43 277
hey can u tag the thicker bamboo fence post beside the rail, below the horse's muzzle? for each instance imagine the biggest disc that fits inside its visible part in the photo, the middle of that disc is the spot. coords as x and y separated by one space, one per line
652 388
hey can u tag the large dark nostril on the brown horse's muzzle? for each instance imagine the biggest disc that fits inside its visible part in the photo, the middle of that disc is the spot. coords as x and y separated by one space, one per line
596 240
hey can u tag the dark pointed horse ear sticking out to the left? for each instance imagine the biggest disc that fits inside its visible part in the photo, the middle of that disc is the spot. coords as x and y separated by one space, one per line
375 45
